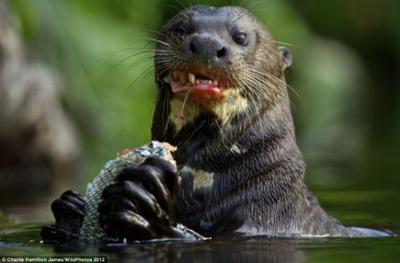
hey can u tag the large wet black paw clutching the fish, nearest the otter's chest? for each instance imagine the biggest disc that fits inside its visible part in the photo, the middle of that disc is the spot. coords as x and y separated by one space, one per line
140 205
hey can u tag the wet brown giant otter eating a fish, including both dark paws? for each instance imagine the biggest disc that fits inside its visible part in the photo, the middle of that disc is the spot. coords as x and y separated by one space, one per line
222 100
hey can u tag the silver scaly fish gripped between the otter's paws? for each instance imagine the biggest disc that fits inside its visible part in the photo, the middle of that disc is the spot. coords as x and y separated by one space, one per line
91 229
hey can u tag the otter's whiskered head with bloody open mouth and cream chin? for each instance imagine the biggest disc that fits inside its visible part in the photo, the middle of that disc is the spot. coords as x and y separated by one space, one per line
218 61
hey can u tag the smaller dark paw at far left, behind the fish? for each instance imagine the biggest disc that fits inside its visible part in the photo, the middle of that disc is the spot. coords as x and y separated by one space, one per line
68 210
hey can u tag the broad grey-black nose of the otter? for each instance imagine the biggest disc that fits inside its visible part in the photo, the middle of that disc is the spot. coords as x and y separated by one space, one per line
207 46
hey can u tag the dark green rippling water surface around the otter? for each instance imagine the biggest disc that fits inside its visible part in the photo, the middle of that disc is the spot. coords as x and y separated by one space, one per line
374 209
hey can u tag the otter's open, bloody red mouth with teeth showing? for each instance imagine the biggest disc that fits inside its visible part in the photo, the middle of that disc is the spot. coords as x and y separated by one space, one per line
200 88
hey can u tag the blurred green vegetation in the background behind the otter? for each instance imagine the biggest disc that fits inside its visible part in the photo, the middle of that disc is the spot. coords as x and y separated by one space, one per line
346 72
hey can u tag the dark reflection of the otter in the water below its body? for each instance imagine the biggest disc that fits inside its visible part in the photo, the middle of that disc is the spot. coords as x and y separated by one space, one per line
240 250
